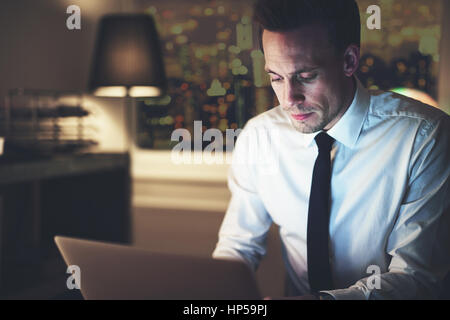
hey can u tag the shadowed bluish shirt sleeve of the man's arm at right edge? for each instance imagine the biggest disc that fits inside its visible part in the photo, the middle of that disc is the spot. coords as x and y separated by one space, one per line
419 243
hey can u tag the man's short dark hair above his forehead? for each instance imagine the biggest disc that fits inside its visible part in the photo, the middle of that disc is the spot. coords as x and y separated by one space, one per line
340 17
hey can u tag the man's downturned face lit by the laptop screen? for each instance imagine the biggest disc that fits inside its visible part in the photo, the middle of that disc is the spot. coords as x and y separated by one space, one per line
307 76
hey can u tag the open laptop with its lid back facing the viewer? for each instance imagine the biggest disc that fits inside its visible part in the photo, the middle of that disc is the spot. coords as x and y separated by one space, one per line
111 271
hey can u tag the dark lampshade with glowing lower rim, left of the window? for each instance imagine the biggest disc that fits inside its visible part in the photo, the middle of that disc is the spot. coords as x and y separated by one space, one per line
127 57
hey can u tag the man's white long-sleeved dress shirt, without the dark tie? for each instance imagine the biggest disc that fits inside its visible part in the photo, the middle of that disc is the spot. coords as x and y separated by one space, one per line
389 192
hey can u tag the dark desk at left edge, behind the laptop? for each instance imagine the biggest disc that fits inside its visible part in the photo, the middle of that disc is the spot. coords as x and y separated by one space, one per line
84 196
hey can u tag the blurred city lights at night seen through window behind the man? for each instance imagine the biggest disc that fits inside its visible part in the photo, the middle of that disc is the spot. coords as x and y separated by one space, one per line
216 71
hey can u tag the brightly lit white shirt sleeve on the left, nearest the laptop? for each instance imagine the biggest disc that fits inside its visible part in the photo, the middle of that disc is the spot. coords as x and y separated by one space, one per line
244 229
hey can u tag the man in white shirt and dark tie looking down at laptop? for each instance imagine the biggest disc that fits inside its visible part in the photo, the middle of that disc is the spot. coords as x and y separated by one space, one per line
362 179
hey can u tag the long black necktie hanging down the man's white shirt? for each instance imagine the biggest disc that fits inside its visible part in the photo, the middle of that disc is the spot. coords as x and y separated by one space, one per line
319 271
